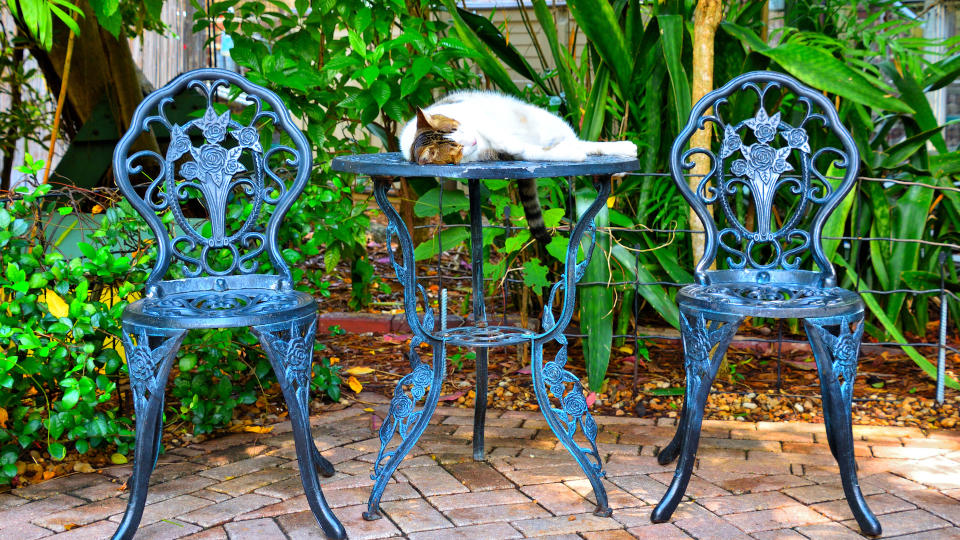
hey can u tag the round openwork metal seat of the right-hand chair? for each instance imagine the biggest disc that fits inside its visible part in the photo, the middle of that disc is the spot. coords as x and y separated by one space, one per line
775 300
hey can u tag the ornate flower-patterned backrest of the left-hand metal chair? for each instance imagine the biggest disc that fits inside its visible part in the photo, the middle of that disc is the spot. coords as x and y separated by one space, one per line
211 161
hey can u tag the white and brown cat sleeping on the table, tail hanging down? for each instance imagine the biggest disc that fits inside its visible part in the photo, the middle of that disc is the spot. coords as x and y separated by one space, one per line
486 126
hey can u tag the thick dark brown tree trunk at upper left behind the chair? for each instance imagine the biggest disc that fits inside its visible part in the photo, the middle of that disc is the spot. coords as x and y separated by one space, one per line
102 67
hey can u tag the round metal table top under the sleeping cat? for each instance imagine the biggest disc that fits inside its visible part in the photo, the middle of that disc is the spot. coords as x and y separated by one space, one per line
392 165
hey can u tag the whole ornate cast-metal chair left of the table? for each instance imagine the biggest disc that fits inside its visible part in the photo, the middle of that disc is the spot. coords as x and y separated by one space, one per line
210 161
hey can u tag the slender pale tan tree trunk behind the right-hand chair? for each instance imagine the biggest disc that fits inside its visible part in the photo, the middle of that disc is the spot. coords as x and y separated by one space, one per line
706 18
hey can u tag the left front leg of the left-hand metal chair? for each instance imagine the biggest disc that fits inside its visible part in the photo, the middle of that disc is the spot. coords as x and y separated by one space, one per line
149 366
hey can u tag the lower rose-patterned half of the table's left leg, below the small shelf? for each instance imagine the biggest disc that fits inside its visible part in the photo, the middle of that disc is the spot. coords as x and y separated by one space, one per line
404 420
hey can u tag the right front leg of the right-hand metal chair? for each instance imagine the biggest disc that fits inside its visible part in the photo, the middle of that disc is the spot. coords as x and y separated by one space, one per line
836 357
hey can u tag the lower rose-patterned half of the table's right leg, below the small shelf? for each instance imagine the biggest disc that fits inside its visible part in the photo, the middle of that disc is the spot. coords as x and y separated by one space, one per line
552 376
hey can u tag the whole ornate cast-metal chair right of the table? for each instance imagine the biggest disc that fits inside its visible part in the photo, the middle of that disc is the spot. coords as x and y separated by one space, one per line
771 193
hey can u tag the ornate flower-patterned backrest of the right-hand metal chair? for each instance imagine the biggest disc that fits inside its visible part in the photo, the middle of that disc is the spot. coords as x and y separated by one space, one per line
767 184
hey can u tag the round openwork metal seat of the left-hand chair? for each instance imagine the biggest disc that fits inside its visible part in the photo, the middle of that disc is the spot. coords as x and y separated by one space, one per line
220 309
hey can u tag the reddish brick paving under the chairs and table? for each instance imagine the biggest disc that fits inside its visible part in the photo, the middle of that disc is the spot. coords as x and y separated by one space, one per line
753 480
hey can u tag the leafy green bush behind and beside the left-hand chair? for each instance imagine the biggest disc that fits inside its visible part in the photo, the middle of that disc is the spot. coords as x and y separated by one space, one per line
62 369
